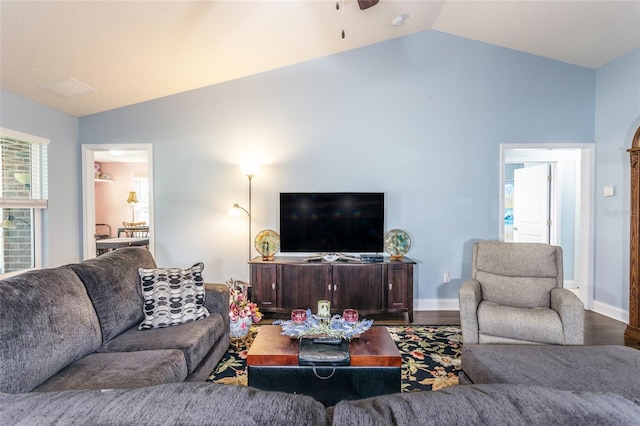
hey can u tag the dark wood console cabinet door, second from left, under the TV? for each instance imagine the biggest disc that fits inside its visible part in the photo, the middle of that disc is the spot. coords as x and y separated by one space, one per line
303 285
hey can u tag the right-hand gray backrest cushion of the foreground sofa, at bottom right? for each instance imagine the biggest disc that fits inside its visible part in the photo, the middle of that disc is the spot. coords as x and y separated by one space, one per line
489 405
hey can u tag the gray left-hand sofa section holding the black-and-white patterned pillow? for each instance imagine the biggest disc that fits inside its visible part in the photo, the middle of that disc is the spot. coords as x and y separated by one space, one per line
76 327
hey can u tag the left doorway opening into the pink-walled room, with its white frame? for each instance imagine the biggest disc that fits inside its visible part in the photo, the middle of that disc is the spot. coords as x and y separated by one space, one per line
142 155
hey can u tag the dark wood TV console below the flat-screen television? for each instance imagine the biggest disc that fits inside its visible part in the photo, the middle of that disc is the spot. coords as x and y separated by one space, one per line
288 283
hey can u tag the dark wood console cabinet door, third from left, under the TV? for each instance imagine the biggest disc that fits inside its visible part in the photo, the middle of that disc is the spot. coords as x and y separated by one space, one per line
358 286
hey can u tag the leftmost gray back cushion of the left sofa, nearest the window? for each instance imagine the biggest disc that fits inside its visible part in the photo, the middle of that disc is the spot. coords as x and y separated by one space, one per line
46 322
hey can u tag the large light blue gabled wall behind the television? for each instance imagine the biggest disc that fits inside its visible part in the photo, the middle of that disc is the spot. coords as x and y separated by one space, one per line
419 118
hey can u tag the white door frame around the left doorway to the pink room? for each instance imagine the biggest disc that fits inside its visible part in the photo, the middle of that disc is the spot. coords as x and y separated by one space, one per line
89 193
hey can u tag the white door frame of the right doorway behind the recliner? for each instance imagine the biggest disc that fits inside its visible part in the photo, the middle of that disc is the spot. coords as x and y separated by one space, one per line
584 225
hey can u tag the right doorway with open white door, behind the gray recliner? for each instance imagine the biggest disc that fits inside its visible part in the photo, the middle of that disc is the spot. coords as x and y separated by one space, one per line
567 217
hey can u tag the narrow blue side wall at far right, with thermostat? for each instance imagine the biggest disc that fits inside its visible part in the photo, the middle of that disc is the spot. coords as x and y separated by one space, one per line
617 119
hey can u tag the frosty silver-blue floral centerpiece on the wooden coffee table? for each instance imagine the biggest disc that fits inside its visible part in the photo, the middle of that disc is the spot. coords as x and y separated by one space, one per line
314 326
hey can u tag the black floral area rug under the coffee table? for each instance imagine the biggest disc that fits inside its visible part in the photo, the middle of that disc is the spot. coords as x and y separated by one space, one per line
430 357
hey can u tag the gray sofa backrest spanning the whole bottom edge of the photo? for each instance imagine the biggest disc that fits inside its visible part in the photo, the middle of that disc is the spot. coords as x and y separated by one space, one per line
210 404
